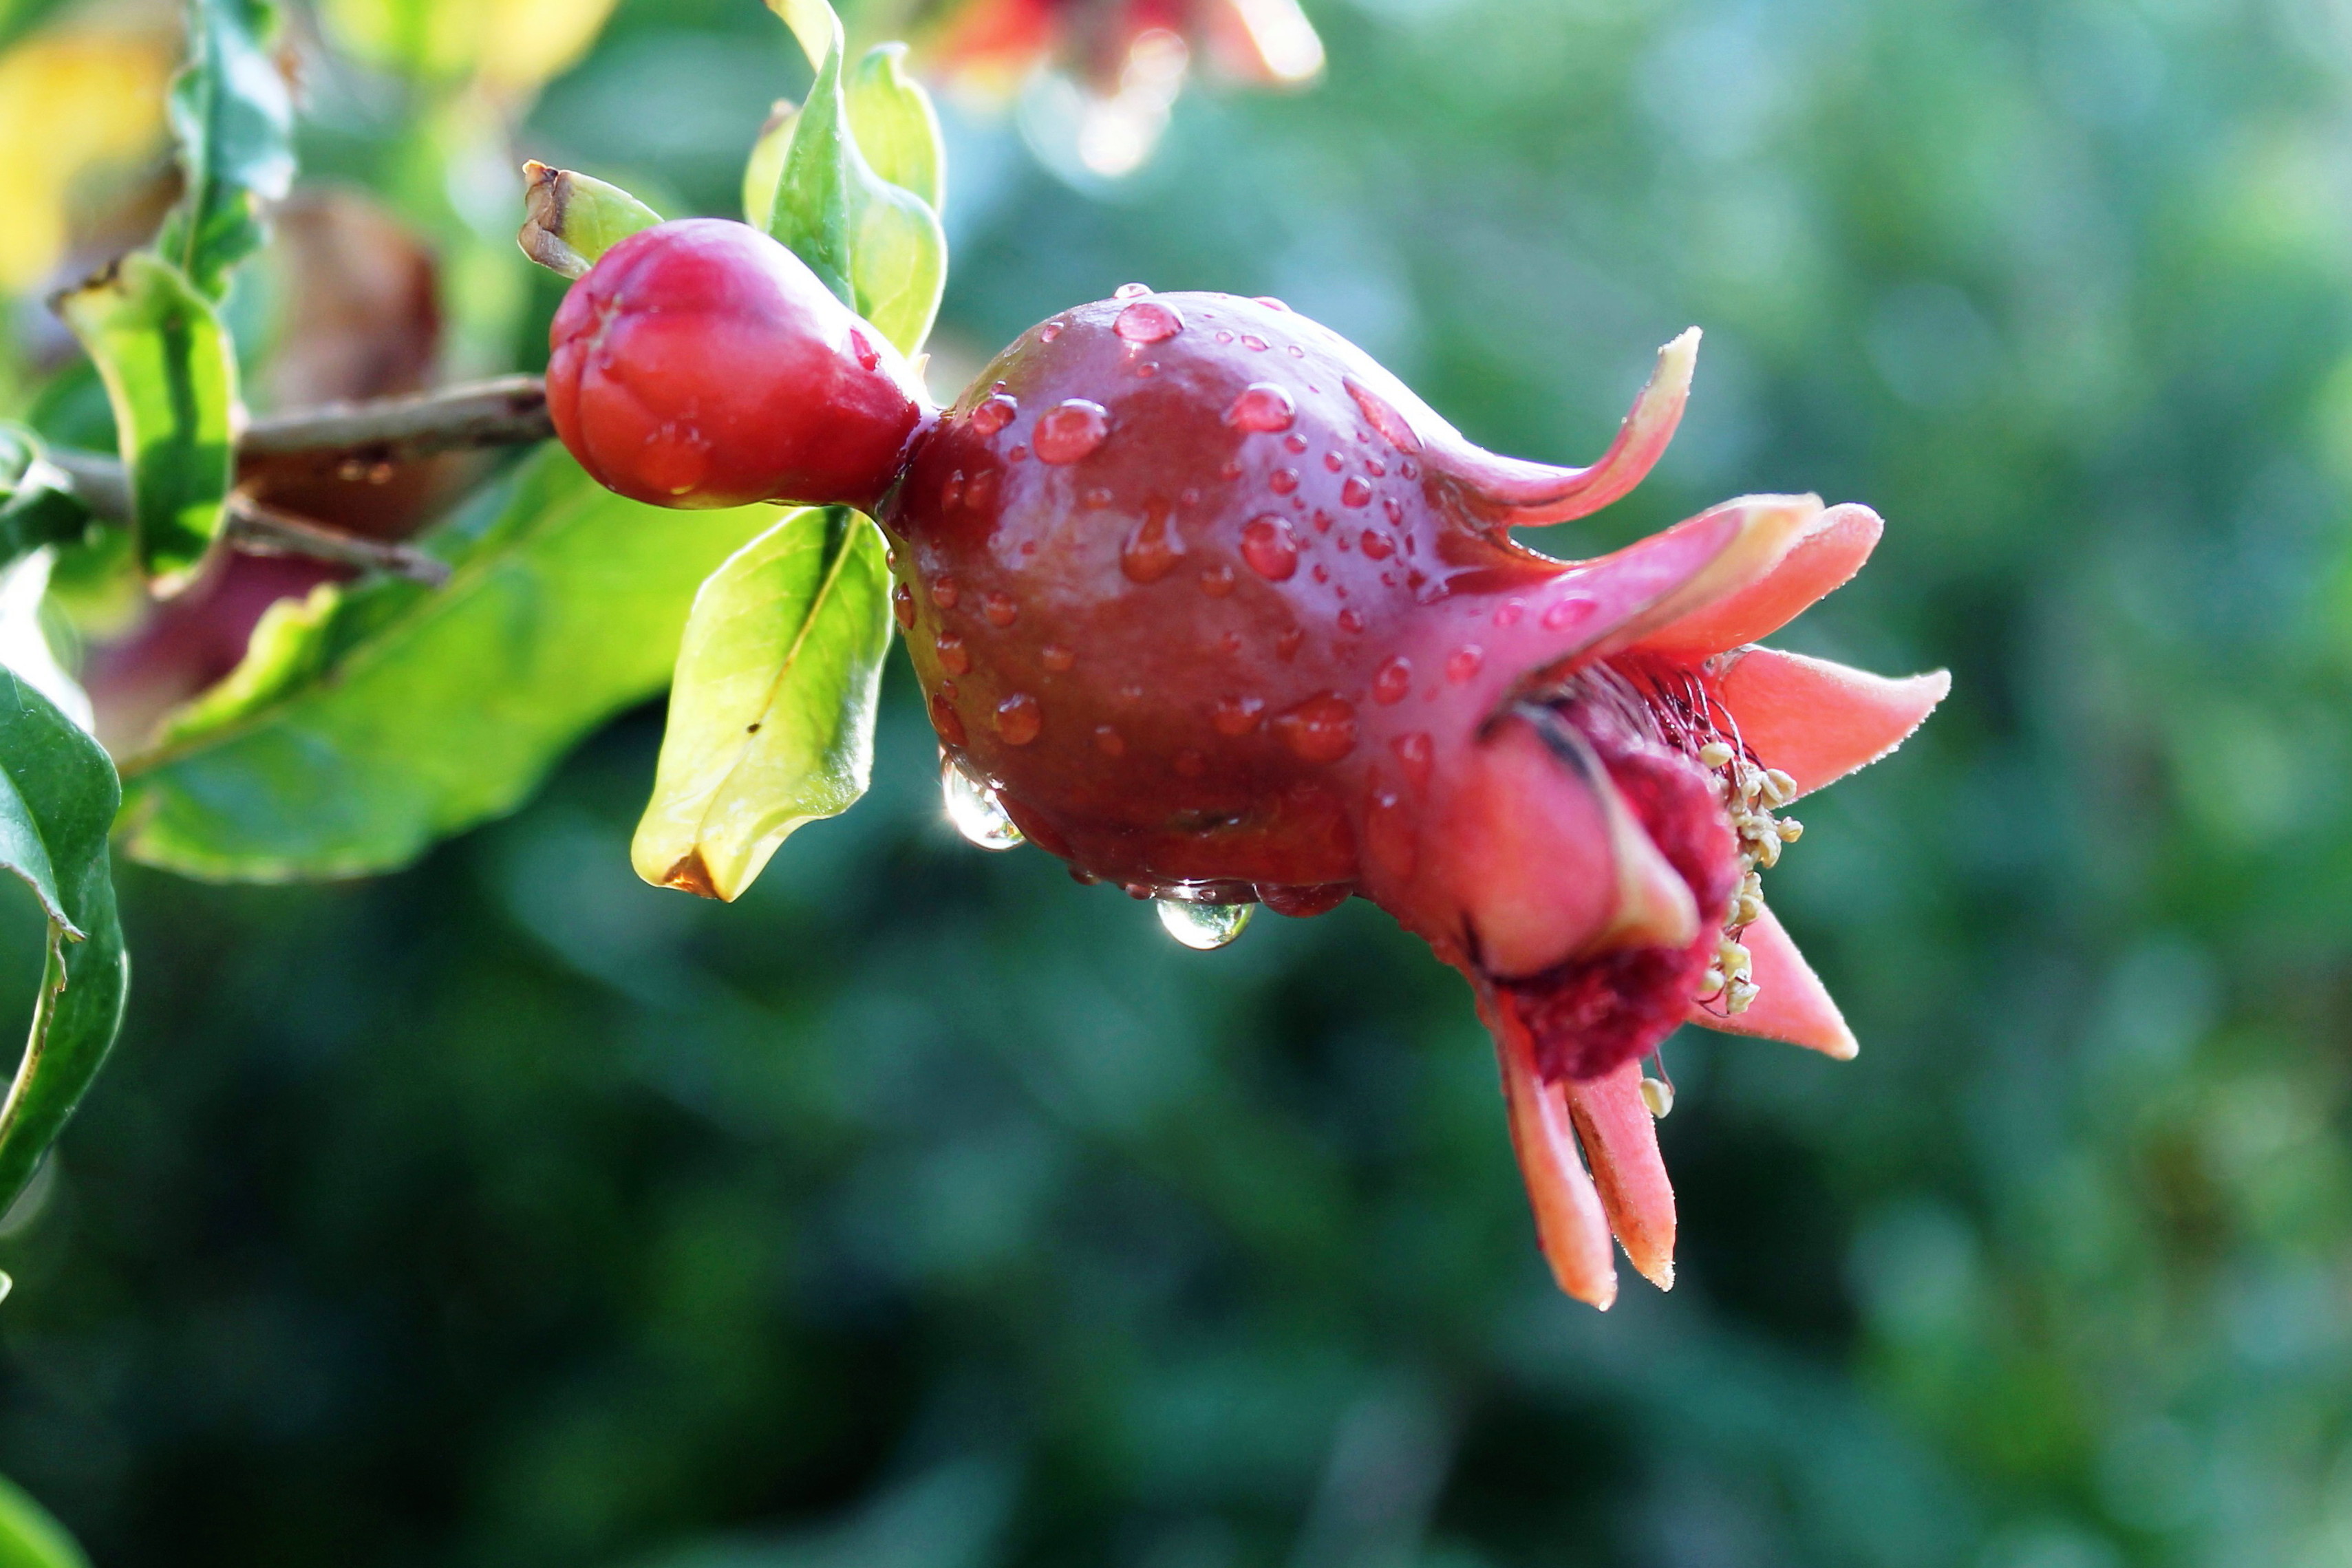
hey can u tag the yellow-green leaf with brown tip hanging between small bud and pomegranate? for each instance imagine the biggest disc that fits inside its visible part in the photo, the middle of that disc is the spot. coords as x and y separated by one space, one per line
773 711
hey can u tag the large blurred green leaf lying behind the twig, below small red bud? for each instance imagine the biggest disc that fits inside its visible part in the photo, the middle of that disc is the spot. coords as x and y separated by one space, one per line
368 723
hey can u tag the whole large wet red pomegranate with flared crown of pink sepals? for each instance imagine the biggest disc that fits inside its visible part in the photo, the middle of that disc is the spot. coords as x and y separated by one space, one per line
1212 608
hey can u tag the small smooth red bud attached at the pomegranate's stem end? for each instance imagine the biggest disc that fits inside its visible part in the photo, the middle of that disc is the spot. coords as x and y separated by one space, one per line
700 363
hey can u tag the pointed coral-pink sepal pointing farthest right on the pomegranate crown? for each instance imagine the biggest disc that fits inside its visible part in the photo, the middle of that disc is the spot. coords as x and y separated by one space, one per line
1817 721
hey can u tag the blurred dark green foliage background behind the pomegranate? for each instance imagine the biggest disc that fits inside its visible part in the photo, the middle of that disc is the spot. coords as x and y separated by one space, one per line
926 1209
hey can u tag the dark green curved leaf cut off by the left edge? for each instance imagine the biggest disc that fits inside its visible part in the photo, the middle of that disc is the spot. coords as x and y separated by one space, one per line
58 803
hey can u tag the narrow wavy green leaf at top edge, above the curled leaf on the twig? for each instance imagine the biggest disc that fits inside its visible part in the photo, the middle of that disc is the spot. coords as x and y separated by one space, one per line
236 140
